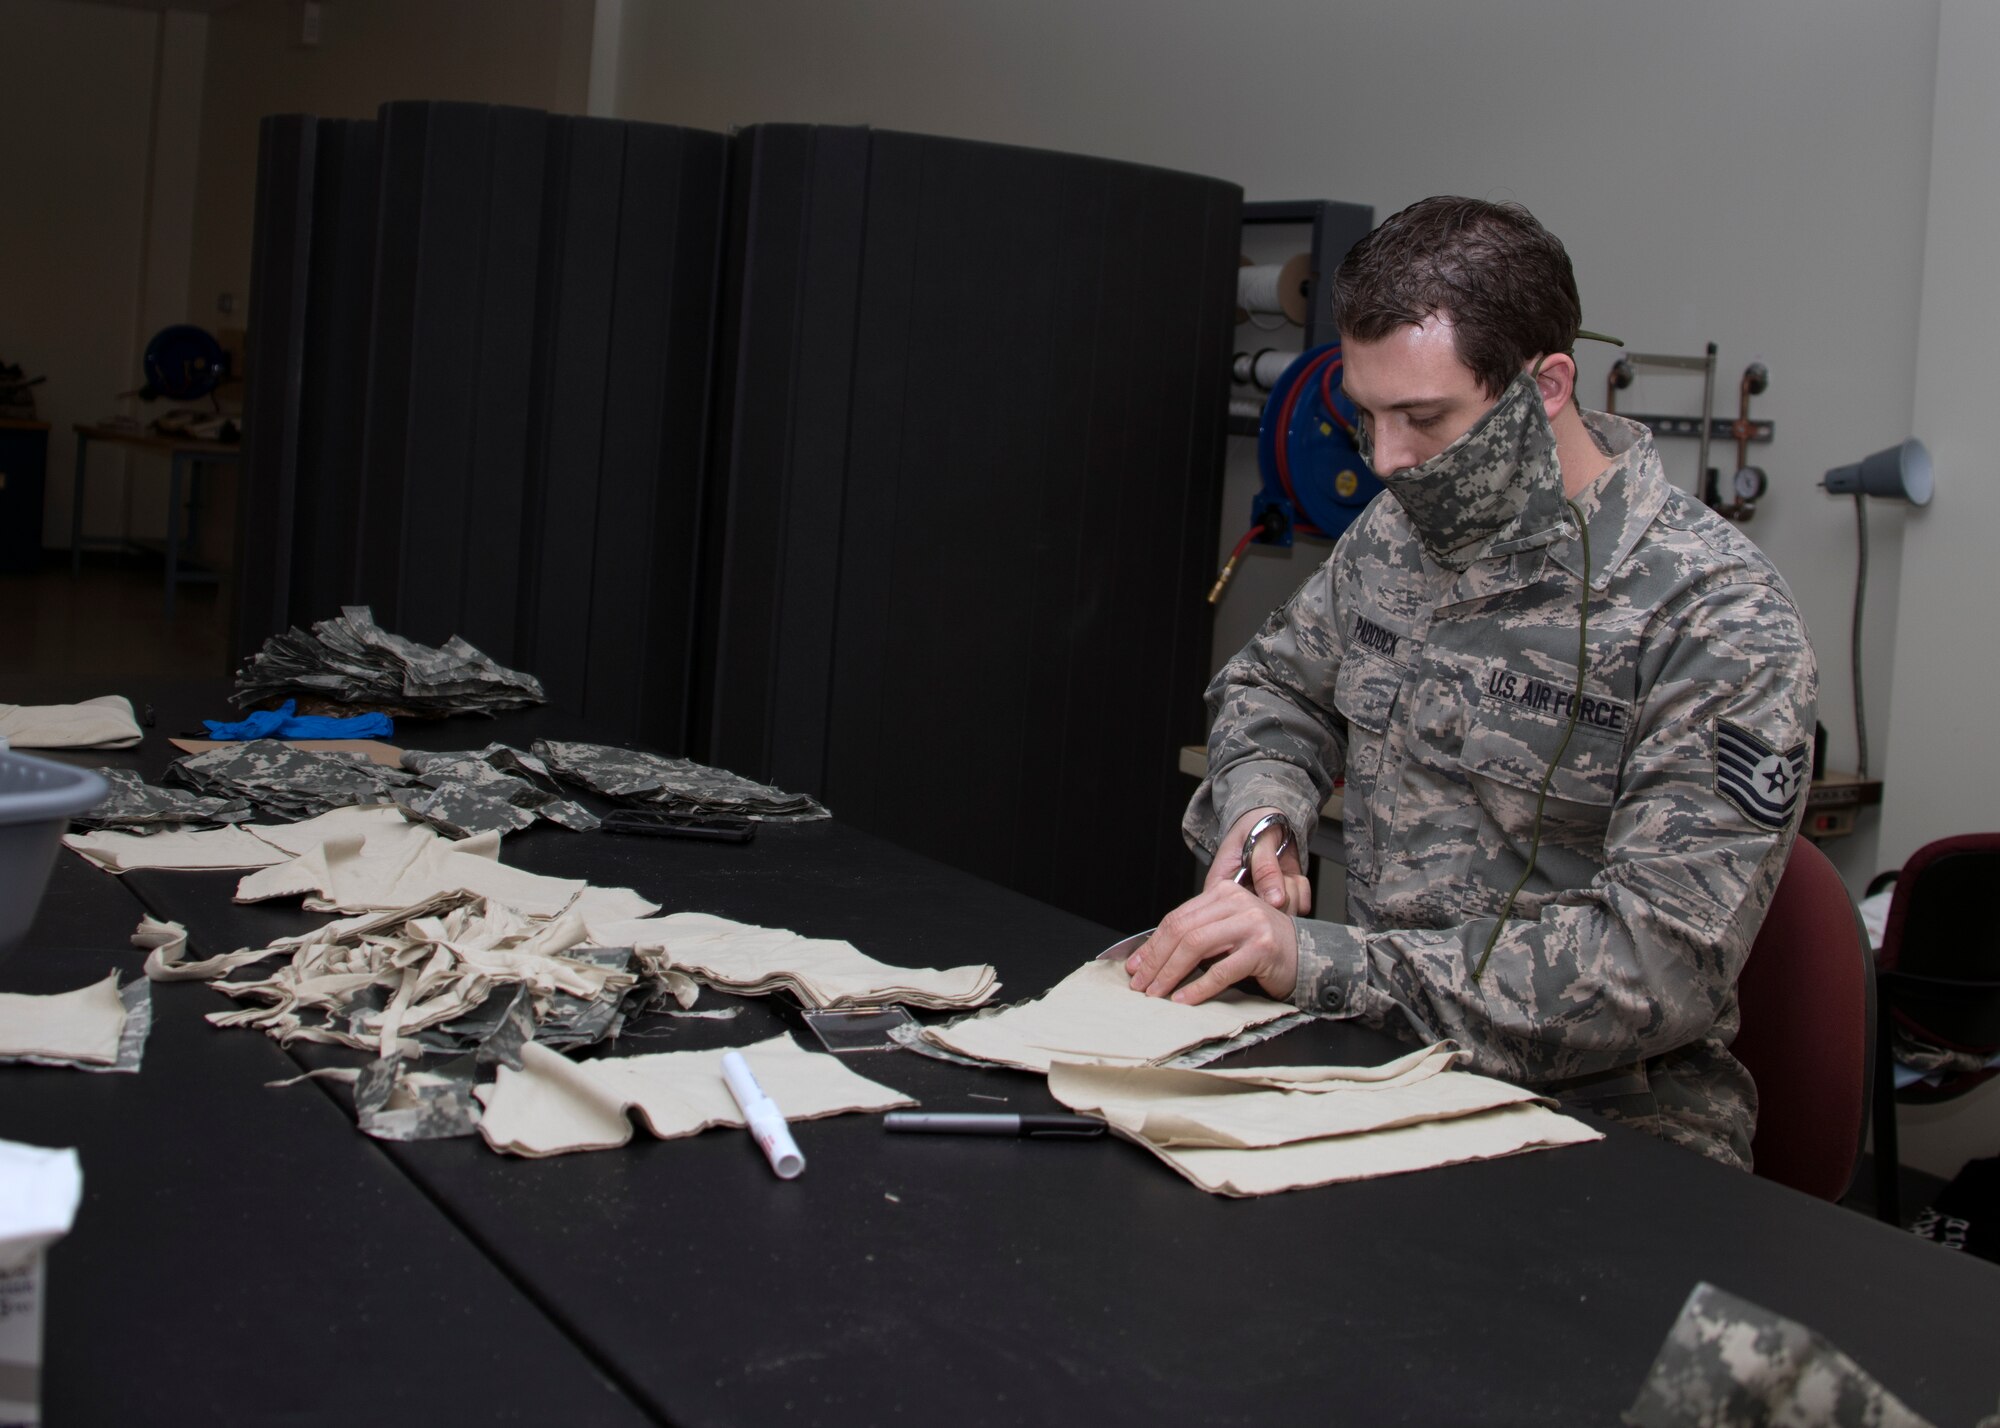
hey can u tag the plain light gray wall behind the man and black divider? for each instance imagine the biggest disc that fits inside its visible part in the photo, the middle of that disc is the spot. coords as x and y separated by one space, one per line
1721 173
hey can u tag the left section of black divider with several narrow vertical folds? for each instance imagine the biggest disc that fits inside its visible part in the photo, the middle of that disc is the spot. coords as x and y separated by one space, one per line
481 391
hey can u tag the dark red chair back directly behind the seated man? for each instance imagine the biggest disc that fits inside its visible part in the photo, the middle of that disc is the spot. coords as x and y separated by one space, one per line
1809 1031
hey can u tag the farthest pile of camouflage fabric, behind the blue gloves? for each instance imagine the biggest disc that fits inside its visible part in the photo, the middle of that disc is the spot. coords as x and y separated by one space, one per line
355 661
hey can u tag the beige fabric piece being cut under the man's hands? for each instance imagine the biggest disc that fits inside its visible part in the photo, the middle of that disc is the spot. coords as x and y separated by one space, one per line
1093 1015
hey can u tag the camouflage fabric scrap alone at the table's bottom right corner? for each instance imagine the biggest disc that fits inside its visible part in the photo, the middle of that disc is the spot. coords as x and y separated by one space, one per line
1733 1365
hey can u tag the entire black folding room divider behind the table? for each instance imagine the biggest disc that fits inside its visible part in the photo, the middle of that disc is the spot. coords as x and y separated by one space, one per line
875 465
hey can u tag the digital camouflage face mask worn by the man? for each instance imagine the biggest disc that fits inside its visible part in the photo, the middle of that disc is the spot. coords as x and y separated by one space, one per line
1477 487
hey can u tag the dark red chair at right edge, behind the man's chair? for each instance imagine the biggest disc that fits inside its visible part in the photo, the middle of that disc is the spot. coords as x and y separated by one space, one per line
1939 975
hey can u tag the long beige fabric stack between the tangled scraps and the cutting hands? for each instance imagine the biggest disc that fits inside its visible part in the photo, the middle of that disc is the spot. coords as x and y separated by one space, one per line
741 957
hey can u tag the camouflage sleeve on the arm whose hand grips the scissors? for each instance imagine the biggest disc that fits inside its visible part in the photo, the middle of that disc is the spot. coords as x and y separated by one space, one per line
1275 739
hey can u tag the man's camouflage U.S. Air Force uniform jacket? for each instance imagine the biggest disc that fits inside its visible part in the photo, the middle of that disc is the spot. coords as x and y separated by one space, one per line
1433 663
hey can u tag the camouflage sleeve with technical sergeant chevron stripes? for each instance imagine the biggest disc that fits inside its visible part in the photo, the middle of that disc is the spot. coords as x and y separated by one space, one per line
1645 957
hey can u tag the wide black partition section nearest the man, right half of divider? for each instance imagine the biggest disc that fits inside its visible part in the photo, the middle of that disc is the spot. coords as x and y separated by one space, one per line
975 415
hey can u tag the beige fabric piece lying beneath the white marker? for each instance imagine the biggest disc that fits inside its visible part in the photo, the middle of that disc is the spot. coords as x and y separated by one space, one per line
555 1105
